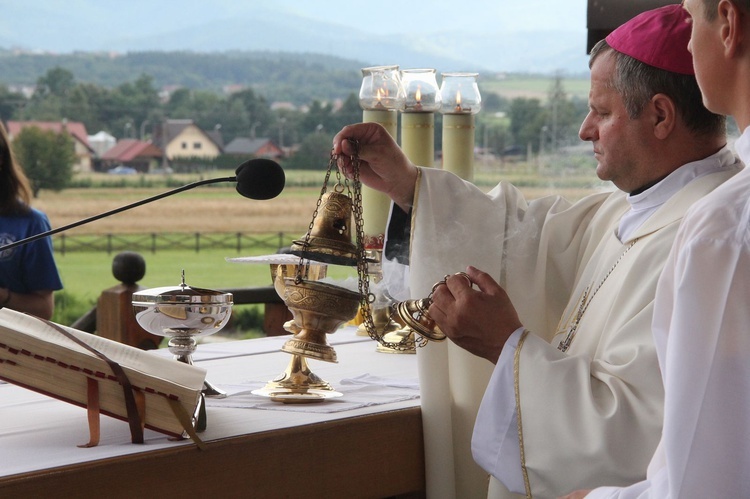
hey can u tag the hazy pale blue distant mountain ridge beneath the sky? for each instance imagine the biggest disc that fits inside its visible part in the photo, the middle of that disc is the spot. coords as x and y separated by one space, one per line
457 51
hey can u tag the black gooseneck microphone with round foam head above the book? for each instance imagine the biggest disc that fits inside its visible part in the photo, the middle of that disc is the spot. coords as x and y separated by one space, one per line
258 178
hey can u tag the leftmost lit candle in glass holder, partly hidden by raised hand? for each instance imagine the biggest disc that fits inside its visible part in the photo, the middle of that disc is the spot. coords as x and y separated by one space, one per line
381 96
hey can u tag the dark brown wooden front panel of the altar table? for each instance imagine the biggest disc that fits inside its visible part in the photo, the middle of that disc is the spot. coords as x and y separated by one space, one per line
379 455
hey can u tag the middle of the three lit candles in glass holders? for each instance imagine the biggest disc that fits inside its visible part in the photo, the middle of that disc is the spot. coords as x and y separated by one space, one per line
418 118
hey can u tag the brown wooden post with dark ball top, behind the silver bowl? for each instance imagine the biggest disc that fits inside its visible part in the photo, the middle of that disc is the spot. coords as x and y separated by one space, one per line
115 319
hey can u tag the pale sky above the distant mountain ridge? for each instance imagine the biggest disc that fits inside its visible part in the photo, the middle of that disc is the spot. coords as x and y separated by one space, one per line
28 22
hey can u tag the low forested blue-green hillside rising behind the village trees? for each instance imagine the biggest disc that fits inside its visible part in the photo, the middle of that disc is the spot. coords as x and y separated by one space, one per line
277 76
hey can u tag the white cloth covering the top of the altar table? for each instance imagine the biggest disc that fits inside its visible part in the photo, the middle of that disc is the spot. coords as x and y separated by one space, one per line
40 433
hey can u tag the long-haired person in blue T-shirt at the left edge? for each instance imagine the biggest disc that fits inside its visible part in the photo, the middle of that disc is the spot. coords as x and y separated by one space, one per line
28 274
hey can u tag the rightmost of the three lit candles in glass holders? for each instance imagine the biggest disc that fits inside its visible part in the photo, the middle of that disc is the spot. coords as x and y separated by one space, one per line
460 102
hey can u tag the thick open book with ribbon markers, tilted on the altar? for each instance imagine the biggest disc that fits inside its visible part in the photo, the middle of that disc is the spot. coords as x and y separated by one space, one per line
45 357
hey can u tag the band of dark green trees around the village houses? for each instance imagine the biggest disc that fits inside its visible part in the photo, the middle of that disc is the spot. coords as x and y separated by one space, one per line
134 108
